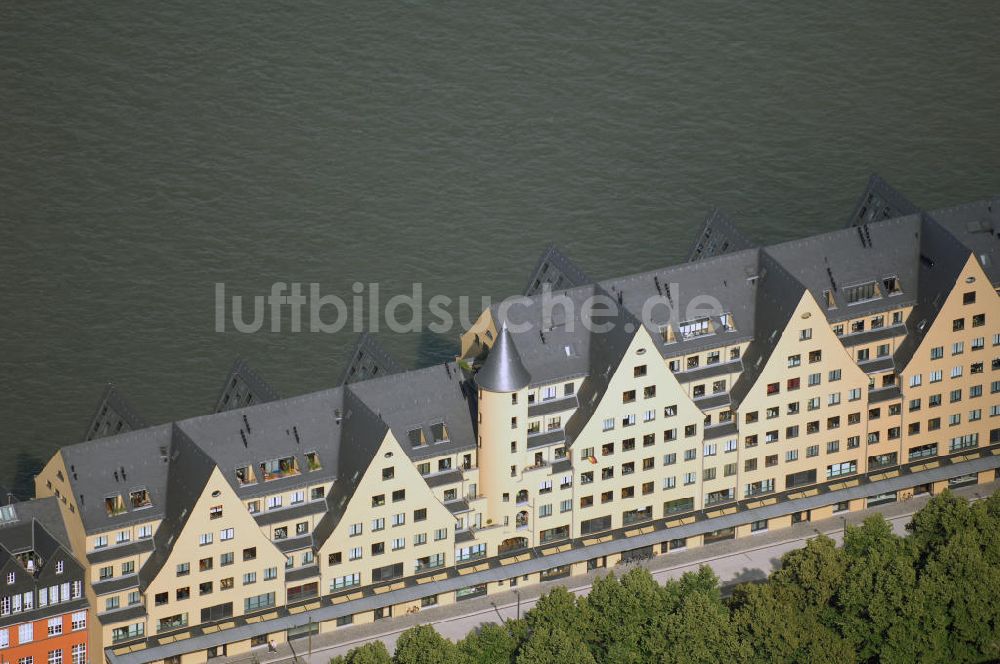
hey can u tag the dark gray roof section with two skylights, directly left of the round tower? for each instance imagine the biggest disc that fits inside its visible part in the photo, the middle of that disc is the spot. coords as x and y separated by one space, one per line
422 399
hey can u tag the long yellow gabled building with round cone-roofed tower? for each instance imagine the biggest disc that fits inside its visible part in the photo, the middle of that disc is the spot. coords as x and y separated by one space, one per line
745 390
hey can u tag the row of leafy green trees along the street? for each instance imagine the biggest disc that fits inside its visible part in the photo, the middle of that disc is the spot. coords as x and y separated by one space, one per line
933 596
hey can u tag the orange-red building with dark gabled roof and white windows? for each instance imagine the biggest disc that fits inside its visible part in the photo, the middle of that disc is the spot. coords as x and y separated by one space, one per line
43 611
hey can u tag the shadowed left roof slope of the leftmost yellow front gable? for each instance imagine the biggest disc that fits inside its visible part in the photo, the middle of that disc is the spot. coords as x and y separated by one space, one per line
189 471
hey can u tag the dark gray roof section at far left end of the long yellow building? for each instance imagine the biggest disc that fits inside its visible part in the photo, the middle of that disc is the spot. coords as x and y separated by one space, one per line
114 466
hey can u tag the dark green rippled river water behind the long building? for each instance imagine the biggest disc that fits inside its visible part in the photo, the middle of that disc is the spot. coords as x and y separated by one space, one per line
150 150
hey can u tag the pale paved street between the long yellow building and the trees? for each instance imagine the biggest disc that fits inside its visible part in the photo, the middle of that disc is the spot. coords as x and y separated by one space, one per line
734 561
